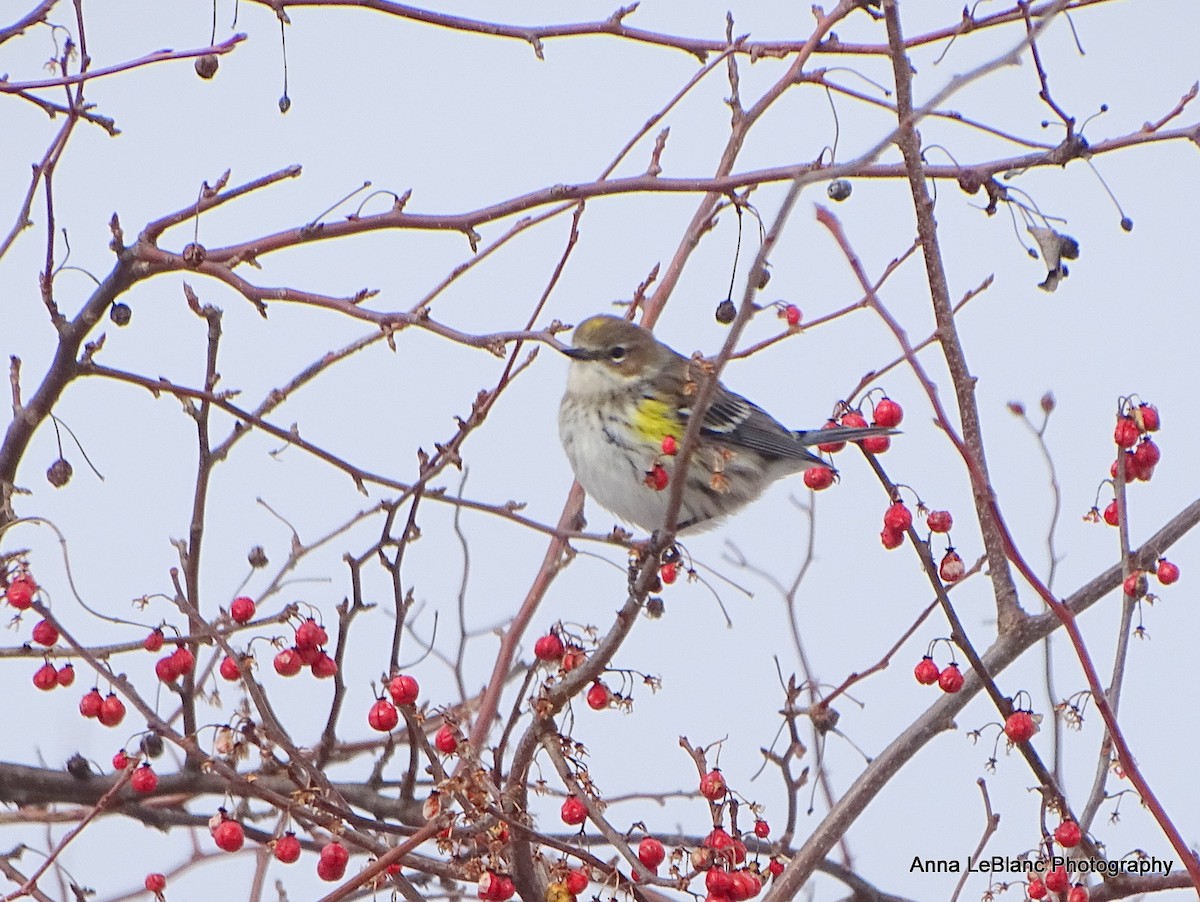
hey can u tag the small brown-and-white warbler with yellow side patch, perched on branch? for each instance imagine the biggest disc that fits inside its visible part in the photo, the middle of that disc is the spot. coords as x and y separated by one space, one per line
626 412
